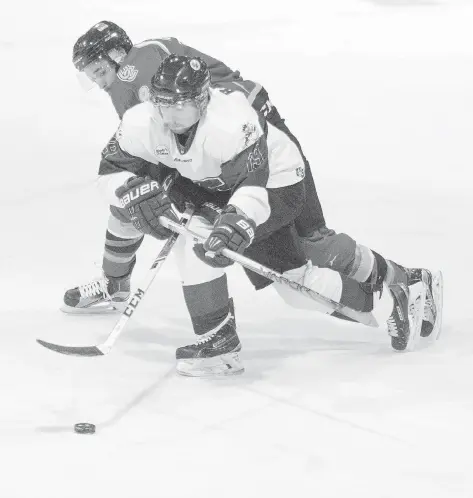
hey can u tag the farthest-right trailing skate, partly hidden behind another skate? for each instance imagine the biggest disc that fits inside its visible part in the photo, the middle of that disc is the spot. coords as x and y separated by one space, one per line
432 319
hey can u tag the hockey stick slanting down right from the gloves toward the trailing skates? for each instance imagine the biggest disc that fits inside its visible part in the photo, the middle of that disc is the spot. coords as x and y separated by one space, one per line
359 316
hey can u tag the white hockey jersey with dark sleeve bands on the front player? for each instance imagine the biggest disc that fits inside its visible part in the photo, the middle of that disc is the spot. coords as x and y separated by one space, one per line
233 149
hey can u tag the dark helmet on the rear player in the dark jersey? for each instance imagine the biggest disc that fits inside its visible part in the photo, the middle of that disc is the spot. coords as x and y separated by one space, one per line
97 43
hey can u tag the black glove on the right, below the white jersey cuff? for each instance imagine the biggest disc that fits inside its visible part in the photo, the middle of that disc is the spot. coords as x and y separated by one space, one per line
231 231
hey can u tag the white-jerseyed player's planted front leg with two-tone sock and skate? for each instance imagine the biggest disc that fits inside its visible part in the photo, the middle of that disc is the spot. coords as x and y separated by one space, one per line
211 311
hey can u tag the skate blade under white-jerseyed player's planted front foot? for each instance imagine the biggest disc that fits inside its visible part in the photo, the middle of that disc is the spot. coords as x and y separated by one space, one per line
218 366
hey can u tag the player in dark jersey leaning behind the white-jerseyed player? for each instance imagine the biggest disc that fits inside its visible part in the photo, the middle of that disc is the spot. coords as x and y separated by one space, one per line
107 56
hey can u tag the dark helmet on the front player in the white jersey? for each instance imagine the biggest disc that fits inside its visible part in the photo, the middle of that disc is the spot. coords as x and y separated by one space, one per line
180 78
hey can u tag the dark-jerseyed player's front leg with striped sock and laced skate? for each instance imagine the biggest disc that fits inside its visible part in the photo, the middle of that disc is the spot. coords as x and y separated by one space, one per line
110 292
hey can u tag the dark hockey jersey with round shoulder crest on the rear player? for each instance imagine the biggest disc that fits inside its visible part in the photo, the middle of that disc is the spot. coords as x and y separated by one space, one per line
133 80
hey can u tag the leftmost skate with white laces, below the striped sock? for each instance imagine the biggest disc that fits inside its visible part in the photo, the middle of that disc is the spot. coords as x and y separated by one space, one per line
103 295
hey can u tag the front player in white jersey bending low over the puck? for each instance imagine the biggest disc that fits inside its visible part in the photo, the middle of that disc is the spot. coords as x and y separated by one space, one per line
192 134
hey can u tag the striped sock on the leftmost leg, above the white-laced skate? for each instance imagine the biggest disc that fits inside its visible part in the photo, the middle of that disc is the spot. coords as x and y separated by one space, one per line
119 255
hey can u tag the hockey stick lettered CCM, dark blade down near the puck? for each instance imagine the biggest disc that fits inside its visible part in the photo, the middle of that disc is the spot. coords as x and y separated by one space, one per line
105 347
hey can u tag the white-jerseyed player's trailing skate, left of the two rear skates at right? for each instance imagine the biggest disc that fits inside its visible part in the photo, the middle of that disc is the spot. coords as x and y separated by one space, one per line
405 322
